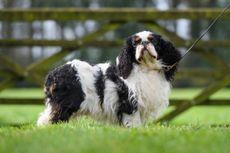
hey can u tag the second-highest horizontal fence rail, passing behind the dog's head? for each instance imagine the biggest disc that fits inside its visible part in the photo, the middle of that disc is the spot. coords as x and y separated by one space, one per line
99 43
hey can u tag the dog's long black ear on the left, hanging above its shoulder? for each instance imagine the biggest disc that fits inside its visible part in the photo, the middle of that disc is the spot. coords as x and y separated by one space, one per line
126 58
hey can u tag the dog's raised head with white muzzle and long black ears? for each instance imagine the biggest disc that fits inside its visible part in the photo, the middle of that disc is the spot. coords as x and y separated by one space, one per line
147 50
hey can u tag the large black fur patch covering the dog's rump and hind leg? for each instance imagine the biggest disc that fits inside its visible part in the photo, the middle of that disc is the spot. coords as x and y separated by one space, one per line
63 88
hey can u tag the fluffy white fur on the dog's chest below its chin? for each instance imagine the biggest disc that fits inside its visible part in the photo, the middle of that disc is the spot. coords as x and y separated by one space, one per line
152 90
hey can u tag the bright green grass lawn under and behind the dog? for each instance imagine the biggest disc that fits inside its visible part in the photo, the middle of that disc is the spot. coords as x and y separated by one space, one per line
201 129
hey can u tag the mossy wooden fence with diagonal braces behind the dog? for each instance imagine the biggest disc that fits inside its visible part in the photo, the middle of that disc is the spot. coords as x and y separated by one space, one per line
114 19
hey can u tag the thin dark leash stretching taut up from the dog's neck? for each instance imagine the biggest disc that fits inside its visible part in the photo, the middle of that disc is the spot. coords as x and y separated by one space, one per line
168 67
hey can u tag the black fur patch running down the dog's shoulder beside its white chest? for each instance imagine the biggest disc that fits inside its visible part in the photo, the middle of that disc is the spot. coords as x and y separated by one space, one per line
127 99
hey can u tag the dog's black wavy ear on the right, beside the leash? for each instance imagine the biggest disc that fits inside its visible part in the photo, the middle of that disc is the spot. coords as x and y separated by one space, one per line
169 55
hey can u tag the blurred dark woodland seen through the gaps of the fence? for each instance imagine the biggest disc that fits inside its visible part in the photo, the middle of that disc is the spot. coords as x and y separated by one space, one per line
72 30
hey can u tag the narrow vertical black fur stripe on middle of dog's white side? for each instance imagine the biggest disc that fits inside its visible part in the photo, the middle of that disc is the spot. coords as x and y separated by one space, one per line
100 86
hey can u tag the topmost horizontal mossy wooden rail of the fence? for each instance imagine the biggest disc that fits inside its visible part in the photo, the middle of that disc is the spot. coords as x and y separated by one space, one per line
112 14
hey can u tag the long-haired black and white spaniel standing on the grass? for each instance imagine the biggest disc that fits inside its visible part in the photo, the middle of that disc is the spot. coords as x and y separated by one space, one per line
129 94
